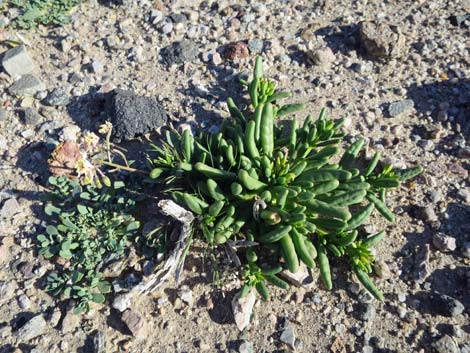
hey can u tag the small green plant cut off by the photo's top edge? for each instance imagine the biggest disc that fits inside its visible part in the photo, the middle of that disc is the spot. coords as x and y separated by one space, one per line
46 12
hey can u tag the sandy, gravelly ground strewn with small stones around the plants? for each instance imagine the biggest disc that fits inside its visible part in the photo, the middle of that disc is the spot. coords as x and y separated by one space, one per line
401 79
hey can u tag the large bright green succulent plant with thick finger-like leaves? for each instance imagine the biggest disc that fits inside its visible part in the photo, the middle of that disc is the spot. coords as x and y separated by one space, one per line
294 196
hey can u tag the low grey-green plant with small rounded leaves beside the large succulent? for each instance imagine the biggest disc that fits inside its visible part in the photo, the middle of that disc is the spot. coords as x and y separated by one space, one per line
86 225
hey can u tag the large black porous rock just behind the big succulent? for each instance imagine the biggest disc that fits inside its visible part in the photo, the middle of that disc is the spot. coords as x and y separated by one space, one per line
132 115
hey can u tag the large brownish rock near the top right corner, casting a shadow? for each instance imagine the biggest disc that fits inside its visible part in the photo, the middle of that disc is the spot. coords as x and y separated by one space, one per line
380 39
